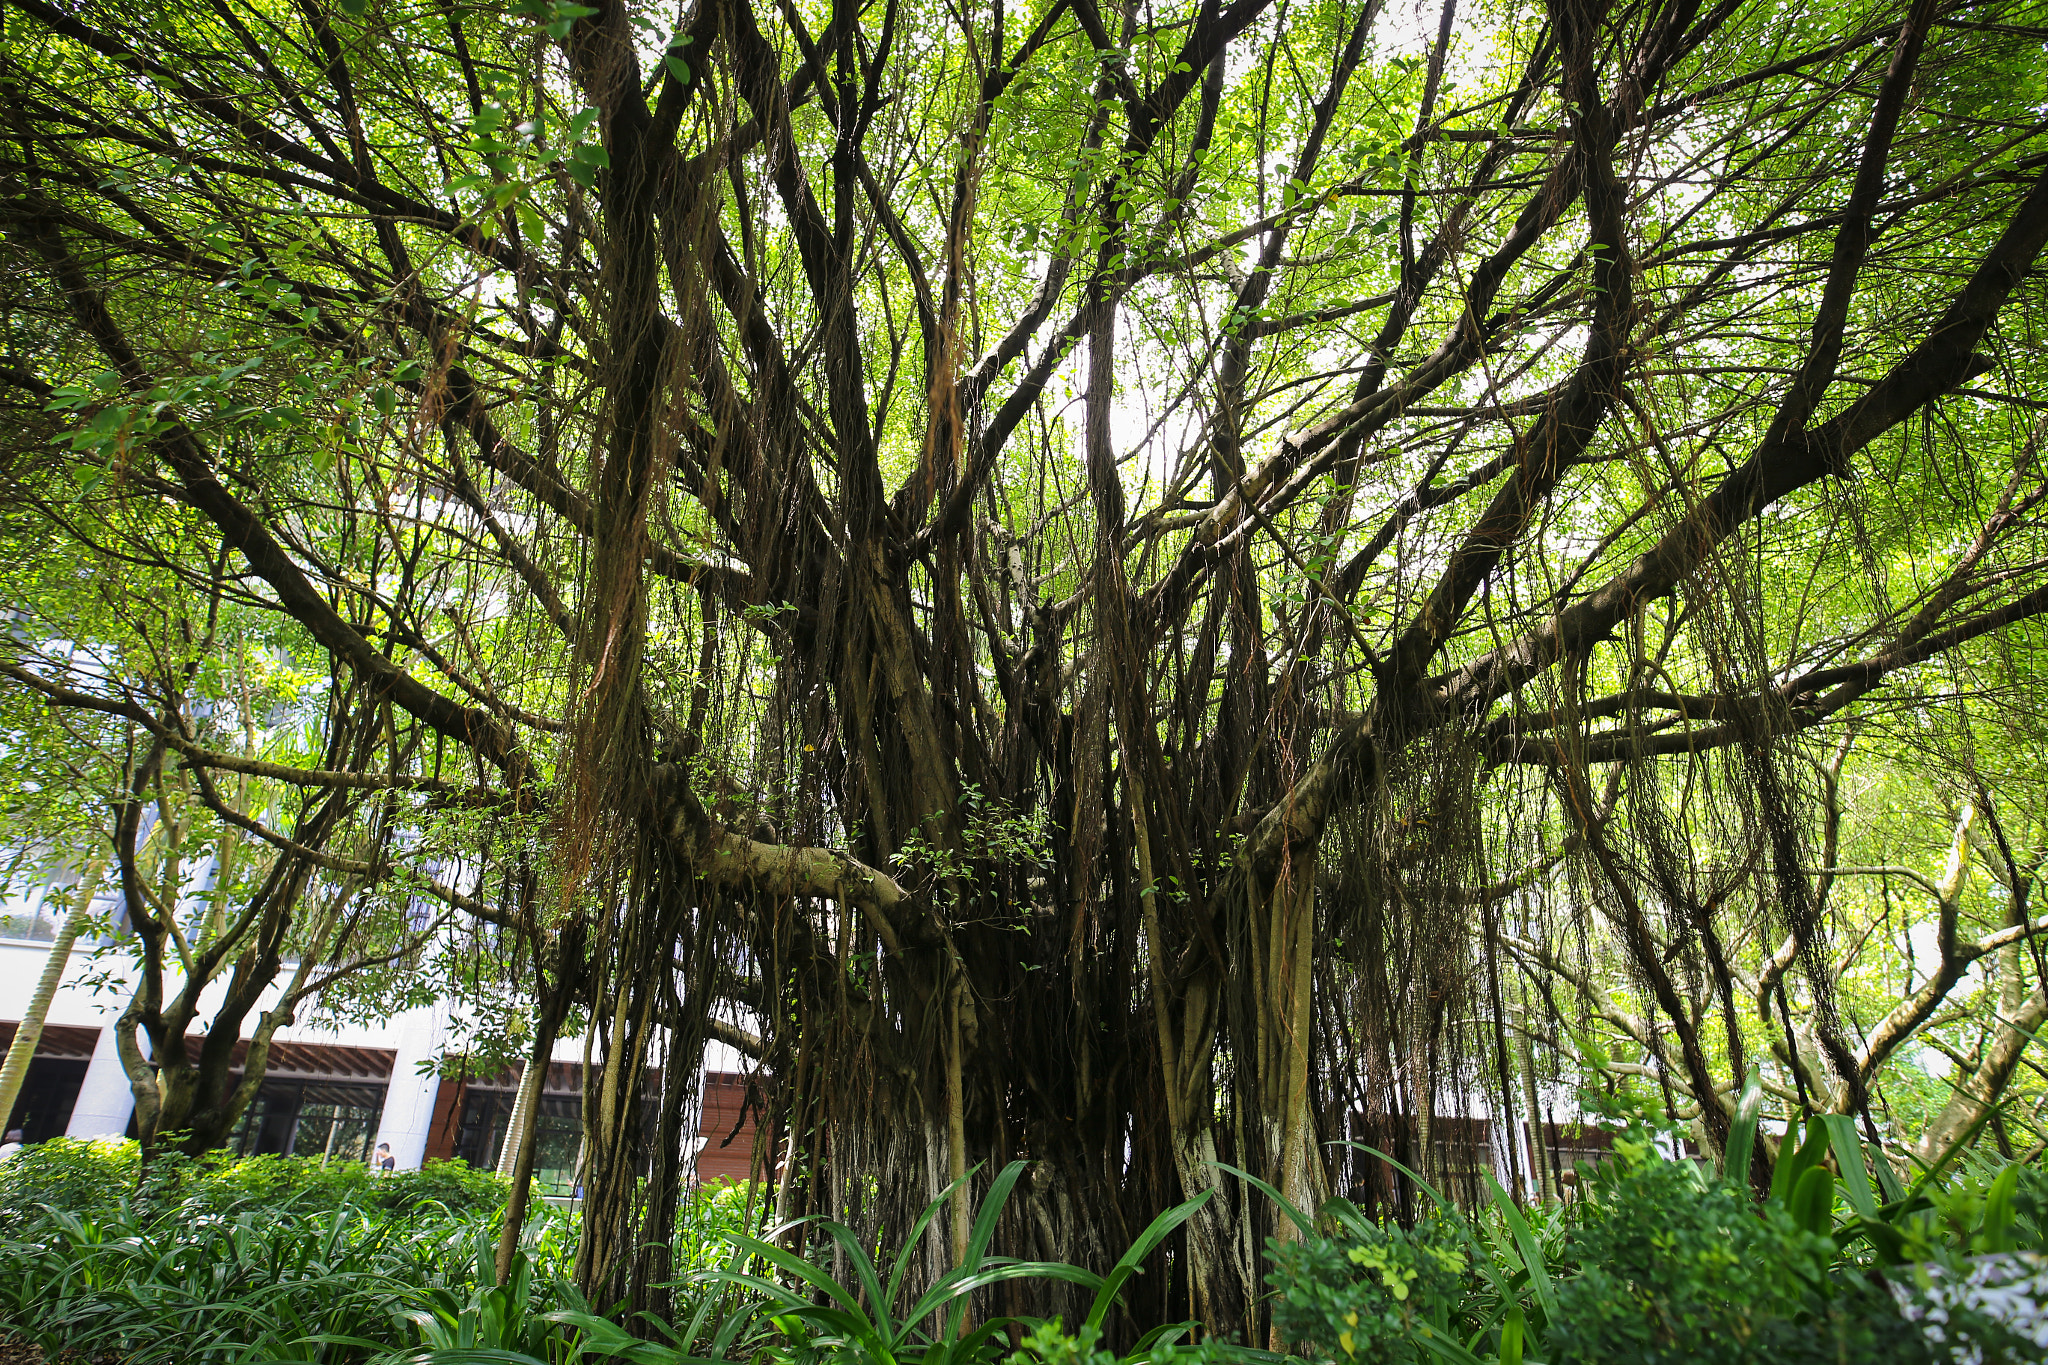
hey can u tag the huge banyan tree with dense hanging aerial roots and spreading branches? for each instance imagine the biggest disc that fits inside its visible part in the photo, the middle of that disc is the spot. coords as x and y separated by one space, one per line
1050 572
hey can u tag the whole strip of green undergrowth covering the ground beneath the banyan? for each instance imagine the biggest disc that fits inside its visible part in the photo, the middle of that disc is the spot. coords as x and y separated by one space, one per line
1656 1262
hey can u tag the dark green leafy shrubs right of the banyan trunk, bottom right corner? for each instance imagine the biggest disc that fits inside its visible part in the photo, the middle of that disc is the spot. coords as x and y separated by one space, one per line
1662 1264
